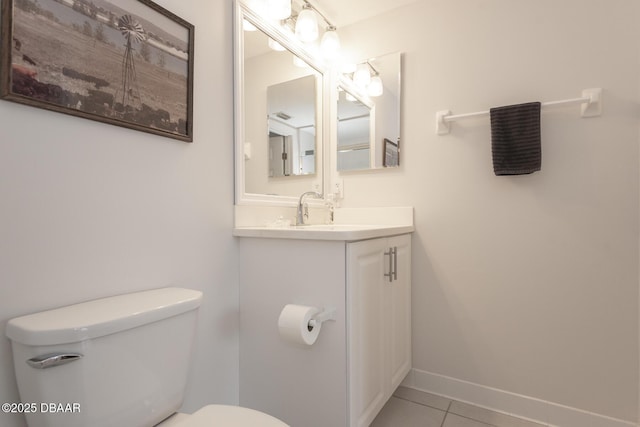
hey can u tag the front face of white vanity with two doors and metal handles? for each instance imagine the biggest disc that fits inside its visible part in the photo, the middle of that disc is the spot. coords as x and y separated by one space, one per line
378 323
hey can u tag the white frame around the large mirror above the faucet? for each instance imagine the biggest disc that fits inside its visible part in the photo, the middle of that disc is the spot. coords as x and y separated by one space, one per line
243 11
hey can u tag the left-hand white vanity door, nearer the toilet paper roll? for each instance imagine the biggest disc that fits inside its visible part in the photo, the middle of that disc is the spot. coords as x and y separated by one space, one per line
366 306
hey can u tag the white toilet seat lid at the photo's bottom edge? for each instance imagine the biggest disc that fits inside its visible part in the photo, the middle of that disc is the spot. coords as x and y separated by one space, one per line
230 416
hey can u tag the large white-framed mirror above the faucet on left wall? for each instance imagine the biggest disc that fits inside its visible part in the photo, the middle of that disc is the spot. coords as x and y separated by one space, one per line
279 92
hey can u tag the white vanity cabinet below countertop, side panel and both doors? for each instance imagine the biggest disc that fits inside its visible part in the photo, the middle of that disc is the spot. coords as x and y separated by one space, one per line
348 374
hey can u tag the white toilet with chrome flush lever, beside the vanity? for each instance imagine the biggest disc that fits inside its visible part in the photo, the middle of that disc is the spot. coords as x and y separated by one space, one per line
117 361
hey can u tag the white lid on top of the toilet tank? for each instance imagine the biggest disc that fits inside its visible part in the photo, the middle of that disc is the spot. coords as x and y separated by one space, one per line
92 319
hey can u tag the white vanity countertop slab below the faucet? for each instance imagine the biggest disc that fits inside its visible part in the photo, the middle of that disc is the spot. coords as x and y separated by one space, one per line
345 232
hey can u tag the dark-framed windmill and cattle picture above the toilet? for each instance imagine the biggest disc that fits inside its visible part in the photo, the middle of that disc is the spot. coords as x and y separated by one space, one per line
123 62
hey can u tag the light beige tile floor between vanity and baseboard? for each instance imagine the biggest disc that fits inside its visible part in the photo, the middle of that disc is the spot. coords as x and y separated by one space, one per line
412 408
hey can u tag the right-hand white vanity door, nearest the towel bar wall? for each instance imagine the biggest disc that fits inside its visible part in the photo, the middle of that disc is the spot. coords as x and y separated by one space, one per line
399 316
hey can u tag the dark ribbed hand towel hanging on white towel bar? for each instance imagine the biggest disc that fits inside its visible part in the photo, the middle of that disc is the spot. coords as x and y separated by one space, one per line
515 139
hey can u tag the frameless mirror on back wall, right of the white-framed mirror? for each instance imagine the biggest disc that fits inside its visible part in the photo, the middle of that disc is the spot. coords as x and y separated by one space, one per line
368 135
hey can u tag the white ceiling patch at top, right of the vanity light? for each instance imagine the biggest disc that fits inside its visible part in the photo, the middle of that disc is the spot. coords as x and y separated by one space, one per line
346 12
